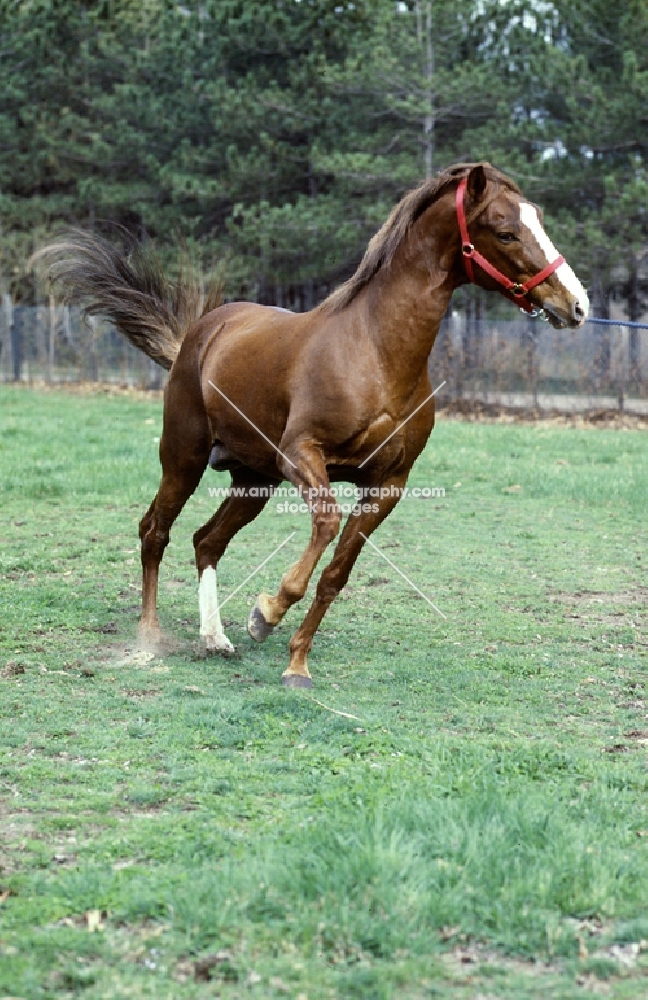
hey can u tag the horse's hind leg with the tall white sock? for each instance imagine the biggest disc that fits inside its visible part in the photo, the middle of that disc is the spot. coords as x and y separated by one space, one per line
210 542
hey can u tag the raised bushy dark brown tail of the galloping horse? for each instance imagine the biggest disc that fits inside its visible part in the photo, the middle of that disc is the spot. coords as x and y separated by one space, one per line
130 289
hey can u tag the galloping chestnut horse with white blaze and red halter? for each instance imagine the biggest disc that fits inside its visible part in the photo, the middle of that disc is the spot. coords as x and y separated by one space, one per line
316 397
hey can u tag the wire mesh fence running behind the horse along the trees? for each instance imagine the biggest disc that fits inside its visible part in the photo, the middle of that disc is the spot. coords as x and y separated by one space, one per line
519 363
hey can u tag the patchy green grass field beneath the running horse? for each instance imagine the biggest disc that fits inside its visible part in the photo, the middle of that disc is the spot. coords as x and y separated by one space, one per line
180 827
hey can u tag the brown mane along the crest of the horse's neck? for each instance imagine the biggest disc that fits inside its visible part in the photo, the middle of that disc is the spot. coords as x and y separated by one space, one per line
382 247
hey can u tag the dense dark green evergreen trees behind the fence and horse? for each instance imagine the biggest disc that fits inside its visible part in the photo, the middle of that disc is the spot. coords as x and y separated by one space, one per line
268 139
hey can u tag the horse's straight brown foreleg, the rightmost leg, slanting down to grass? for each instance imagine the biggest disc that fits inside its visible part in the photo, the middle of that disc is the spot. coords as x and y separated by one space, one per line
335 576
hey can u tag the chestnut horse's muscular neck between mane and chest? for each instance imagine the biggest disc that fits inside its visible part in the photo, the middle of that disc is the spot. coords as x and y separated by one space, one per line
408 301
